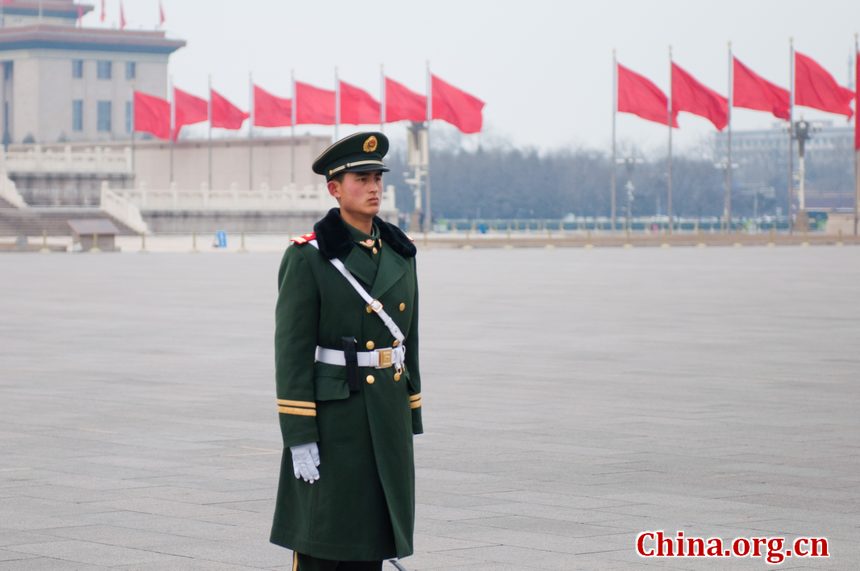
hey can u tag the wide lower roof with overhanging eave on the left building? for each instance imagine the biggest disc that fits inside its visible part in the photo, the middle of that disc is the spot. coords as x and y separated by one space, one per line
47 36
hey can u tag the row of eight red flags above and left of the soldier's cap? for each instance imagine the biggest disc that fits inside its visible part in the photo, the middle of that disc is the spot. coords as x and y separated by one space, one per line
313 106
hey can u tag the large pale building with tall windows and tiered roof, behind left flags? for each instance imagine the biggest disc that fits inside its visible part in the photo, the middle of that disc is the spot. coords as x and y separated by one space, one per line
61 82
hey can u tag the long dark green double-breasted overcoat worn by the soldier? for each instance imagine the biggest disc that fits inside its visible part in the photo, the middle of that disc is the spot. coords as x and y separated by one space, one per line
363 506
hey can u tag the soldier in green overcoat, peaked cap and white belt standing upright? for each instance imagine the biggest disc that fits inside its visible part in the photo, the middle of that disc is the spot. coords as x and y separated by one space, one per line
348 382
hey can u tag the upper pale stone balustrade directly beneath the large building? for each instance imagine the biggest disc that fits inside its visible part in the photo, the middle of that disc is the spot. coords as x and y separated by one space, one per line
97 160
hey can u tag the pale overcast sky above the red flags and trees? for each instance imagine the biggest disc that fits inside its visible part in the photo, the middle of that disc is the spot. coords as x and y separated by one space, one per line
543 67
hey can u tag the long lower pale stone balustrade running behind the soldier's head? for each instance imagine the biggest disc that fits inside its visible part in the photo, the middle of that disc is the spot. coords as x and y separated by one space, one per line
290 198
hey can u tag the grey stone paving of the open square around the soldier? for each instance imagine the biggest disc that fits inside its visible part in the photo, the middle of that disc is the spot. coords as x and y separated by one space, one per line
572 398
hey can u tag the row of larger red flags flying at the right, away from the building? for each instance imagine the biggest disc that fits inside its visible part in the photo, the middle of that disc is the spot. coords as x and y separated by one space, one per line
813 87
